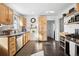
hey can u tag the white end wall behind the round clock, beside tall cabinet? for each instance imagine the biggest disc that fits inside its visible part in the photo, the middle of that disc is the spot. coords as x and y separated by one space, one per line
34 36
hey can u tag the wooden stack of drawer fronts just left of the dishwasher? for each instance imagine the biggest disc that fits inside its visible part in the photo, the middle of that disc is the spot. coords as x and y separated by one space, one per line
12 45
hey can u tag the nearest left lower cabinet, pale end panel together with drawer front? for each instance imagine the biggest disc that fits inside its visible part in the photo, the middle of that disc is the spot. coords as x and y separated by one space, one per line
7 45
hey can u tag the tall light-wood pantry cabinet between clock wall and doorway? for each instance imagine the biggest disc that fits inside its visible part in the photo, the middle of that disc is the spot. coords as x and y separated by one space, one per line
42 24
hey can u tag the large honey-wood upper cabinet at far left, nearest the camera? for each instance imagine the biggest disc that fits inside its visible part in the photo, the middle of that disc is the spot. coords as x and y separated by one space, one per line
6 15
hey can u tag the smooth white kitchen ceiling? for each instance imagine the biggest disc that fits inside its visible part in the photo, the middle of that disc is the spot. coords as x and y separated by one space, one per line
39 8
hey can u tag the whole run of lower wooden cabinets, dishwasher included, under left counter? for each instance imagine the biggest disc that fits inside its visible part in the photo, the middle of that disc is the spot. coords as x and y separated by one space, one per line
9 45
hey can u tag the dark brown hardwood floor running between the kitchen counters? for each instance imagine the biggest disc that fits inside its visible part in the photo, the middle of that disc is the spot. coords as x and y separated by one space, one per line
50 48
